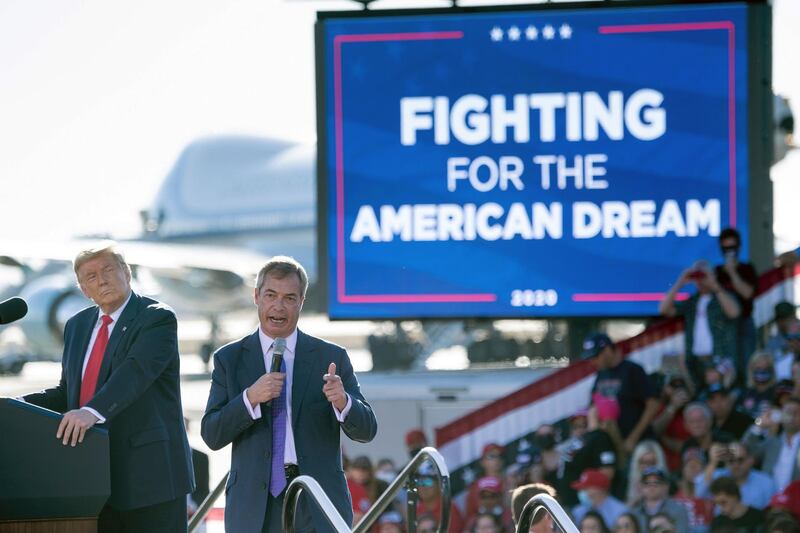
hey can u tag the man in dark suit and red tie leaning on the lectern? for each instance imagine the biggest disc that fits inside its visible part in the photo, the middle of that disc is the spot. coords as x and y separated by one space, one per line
120 369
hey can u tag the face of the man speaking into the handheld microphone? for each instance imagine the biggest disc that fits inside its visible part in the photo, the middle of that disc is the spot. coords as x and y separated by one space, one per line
279 302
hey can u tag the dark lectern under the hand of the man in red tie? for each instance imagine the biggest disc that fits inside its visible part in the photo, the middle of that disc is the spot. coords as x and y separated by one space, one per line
46 487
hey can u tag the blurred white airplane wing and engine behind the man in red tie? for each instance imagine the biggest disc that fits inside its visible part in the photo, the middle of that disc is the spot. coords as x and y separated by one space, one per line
197 281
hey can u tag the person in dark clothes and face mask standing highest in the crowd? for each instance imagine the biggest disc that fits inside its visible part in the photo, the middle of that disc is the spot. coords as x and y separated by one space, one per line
741 280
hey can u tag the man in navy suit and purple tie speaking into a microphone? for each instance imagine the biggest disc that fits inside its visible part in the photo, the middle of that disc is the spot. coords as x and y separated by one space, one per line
287 423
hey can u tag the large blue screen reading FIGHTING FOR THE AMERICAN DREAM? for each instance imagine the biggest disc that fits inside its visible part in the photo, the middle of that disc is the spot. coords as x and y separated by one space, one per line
527 163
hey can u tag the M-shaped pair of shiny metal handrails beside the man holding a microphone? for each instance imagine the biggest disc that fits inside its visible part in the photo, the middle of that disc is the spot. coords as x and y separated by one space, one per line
405 479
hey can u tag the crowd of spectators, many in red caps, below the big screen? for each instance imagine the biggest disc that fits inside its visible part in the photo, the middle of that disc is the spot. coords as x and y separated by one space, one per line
710 446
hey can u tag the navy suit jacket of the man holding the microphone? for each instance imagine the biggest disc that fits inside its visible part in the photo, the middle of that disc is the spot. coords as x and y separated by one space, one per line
316 430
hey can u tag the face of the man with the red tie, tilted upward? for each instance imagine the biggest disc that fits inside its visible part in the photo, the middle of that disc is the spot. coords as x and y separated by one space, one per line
105 281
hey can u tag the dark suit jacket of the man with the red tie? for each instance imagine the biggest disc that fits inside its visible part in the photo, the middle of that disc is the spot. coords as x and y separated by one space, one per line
138 392
